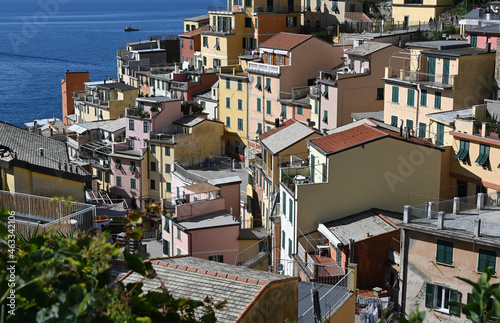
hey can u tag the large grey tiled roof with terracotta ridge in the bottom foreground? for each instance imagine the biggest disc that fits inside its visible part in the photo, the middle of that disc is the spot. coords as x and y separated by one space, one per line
197 278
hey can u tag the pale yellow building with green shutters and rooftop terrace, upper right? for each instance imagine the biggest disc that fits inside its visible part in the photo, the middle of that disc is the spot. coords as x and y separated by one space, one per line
435 76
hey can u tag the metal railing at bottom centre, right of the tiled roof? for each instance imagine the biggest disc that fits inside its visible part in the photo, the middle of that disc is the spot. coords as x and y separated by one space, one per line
331 300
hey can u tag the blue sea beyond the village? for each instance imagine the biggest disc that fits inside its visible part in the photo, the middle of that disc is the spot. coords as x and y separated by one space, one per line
41 39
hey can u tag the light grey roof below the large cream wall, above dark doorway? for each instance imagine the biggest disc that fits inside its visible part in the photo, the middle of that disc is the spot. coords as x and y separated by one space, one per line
359 226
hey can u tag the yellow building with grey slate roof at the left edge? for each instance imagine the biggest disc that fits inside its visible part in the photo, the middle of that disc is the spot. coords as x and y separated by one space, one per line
36 165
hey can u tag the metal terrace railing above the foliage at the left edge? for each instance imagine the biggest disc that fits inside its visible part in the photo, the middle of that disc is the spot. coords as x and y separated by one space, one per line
46 214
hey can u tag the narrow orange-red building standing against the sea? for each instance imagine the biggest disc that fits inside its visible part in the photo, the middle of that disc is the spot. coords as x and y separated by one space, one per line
73 81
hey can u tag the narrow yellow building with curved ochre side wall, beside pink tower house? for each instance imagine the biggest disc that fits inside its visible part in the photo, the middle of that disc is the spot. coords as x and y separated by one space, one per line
187 142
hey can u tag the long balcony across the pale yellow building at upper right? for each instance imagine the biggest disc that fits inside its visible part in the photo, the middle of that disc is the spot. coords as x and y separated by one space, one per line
439 81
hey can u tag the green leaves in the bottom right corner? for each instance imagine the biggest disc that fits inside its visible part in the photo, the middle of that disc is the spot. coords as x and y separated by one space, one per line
482 291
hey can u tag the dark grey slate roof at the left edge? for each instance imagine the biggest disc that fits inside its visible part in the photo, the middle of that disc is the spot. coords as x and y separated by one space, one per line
26 146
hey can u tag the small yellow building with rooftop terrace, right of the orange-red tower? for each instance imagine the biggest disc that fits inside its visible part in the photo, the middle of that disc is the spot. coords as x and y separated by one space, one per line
105 100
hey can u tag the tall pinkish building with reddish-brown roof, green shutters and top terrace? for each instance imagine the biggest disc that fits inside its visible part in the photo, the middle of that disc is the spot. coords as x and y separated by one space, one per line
287 61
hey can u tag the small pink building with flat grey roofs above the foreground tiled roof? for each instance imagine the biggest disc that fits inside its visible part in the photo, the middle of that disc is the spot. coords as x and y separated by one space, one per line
201 226
